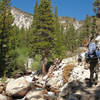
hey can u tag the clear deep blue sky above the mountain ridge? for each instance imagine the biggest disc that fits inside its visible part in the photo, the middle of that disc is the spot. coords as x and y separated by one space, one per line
72 8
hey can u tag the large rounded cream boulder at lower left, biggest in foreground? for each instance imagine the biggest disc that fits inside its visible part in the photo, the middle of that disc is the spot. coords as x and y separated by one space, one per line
17 87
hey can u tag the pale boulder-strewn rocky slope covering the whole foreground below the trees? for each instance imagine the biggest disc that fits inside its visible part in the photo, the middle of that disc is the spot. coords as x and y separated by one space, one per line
65 80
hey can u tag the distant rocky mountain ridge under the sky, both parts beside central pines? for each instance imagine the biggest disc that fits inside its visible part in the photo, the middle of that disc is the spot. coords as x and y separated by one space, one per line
23 19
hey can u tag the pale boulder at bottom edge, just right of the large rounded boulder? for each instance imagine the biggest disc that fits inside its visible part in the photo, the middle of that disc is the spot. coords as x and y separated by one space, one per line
34 94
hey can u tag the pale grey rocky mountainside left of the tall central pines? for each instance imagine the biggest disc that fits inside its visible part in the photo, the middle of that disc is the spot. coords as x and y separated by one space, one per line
21 19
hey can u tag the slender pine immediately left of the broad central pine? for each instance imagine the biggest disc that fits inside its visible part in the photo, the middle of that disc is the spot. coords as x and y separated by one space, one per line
33 30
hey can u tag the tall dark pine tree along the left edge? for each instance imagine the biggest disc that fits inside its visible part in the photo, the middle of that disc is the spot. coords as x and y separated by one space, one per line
6 21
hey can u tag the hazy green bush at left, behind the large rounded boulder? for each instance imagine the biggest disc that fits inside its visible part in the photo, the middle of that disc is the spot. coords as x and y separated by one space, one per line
16 62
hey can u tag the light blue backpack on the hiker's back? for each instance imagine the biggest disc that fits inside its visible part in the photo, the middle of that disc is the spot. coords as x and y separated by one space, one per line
92 49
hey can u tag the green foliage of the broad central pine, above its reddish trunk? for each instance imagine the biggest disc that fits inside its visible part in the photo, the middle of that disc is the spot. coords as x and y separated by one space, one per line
45 26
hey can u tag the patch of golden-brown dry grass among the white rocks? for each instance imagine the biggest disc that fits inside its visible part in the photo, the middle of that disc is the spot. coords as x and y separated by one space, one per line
66 72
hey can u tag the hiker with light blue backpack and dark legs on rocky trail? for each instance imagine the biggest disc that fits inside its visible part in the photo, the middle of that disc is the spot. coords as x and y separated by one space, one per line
92 57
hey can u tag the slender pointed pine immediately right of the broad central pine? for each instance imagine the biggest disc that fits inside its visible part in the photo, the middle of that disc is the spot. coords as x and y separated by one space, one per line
59 37
